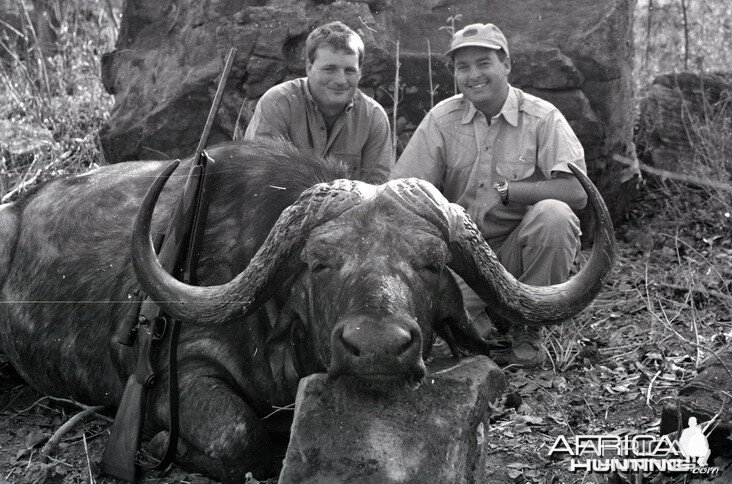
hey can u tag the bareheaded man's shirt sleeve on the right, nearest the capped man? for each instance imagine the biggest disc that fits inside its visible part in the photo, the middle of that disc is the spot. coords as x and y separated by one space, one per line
377 155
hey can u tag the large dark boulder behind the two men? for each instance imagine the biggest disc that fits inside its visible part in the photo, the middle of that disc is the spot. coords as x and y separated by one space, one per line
168 55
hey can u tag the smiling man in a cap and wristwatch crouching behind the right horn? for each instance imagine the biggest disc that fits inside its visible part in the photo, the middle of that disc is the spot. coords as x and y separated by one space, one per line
502 154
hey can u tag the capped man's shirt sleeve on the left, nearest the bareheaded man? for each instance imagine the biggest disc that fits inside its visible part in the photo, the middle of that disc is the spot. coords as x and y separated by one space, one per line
424 156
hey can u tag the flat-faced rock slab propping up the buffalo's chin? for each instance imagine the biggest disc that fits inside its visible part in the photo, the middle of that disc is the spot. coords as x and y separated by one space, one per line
343 432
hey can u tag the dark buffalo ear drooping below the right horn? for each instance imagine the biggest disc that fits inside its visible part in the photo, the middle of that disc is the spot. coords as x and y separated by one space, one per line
453 324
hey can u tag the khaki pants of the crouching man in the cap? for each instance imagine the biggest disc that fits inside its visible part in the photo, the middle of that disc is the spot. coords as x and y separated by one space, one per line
540 251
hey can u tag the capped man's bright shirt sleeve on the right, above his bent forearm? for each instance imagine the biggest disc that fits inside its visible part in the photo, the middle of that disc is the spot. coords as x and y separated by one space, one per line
558 145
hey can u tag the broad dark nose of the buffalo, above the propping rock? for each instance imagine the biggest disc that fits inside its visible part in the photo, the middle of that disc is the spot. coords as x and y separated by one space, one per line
386 340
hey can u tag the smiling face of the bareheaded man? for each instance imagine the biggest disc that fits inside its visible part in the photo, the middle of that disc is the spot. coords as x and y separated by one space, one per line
333 78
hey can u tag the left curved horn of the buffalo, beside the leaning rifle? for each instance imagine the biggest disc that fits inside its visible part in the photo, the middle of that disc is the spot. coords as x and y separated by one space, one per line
253 286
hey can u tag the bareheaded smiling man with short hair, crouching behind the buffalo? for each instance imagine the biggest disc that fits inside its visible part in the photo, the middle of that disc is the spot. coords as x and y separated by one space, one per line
325 112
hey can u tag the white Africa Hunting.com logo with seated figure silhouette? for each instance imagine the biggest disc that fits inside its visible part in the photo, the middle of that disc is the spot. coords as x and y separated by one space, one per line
645 453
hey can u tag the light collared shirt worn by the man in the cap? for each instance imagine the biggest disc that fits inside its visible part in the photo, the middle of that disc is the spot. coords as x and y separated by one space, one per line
457 150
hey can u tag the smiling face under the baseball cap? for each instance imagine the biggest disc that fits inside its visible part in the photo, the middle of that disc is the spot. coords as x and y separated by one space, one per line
482 77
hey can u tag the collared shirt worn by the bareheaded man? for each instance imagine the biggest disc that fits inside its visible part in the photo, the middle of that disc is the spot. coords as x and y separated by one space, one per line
359 137
